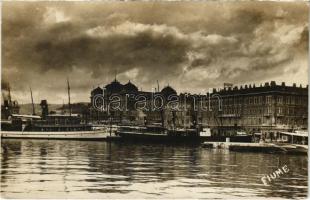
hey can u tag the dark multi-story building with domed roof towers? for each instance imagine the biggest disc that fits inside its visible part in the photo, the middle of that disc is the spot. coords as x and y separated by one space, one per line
120 102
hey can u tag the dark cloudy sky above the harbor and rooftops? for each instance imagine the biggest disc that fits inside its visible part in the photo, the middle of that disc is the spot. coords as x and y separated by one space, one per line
190 46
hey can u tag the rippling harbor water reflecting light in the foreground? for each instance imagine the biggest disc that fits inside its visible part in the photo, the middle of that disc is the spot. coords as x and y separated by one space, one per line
96 169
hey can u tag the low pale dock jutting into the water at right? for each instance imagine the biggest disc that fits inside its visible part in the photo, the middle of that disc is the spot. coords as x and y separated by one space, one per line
254 147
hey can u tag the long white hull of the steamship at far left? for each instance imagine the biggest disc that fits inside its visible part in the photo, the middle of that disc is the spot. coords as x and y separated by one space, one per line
70 135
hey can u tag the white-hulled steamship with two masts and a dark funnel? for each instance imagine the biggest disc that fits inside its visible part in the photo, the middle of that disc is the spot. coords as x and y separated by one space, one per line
52 126
